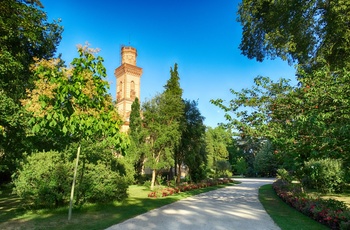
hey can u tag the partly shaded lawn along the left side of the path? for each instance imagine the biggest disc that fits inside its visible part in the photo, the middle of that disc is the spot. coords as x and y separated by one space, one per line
88 217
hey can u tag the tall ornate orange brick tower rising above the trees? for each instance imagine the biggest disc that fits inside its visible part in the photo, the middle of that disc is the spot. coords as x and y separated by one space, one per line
128 83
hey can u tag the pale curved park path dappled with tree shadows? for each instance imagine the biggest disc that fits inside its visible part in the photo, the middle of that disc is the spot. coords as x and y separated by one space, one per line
232 207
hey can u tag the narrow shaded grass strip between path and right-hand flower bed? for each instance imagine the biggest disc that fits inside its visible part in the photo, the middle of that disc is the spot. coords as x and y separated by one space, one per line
285 216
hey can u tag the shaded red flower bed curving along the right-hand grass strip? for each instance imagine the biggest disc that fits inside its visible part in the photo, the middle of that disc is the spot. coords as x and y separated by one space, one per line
332 213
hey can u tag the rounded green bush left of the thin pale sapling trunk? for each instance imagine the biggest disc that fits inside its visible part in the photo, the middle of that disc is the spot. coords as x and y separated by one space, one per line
44 180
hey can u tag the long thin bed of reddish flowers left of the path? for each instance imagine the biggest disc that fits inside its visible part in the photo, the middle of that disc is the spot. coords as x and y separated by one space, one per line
168 191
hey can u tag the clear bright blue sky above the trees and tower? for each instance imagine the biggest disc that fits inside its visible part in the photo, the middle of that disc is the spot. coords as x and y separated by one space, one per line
202 36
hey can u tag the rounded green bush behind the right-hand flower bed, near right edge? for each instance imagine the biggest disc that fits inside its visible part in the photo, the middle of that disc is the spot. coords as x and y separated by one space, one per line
326 175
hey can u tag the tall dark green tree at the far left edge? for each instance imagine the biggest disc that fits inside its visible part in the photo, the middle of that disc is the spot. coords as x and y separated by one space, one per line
25 33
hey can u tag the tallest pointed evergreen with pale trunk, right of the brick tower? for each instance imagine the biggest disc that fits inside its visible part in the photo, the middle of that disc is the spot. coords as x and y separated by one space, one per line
162 118
